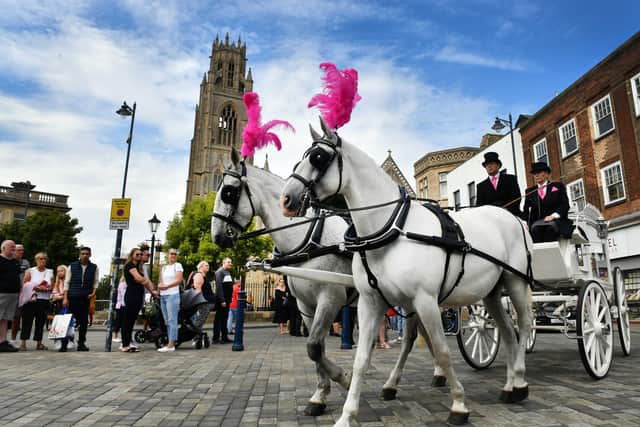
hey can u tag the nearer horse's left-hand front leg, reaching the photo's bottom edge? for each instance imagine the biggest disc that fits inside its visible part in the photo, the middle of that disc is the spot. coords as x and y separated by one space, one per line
370 314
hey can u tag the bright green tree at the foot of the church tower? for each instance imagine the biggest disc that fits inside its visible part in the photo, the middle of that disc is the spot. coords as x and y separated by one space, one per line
190 233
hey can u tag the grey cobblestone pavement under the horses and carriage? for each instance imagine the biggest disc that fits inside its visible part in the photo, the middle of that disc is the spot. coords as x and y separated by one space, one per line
269 383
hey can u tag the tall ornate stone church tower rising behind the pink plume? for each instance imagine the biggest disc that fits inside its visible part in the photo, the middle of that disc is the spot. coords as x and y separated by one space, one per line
220 116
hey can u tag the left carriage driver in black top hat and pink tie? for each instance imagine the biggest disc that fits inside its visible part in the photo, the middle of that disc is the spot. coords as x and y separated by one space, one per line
499 189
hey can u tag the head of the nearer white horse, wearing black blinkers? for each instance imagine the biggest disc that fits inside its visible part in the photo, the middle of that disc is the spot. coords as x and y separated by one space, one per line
317 176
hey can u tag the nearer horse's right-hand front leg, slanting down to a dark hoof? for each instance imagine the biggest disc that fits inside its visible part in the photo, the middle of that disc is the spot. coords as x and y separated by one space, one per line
429 312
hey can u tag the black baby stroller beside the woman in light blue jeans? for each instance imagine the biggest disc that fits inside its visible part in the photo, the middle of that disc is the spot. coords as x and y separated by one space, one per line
194 310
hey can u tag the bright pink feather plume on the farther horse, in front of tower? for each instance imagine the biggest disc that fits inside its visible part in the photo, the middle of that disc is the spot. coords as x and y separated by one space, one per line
256 135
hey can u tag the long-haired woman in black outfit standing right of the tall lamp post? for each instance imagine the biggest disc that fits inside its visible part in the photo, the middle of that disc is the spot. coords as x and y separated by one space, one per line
133 296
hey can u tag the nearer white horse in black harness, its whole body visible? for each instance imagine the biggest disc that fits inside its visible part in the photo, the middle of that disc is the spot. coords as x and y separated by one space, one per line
410 273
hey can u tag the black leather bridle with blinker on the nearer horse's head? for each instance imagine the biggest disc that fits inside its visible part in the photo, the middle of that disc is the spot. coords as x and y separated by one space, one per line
321 160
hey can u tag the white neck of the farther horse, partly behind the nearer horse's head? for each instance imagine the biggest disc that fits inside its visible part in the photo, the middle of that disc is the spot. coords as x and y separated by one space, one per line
265 193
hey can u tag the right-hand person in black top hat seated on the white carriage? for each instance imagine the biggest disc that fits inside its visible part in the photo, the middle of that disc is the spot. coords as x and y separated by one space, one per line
546 207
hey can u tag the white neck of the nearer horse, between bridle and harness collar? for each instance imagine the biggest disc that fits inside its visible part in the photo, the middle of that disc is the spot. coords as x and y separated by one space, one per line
365 184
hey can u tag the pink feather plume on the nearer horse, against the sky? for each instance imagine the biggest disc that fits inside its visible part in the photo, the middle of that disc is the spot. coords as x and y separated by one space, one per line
339 96
